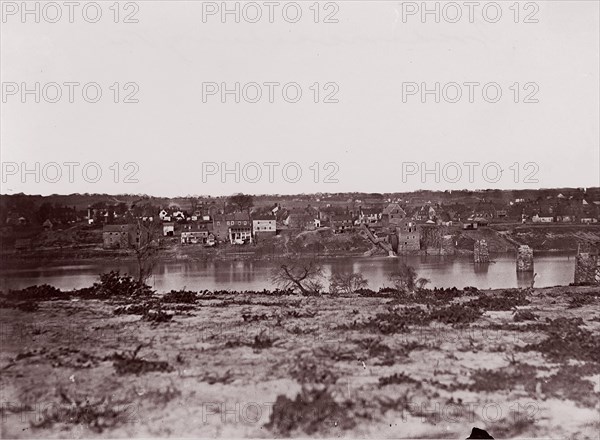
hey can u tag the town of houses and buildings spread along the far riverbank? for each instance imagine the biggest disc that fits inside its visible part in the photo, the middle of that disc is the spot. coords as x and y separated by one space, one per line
403 225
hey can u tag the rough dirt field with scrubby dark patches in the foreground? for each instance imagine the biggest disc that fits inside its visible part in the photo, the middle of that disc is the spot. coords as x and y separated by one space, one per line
431 365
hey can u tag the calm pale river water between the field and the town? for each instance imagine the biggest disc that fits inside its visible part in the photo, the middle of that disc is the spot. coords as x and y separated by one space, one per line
460 271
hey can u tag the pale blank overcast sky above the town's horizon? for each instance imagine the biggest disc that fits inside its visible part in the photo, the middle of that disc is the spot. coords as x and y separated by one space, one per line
368 134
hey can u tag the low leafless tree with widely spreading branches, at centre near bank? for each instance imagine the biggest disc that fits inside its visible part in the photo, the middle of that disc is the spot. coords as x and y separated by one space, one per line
305 277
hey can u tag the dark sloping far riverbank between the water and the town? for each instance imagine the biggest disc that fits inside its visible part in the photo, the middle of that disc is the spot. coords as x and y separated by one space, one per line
320 244
